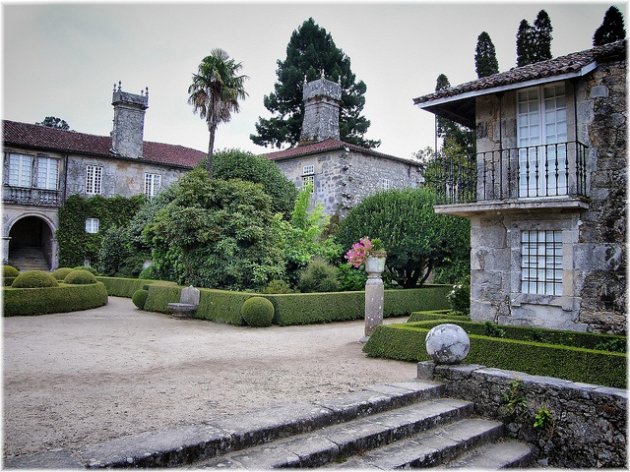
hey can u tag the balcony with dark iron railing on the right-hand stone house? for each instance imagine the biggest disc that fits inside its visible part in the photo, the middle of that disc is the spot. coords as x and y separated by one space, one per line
548 175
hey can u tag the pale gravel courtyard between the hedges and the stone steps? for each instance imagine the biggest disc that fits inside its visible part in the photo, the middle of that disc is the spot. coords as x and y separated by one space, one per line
88 376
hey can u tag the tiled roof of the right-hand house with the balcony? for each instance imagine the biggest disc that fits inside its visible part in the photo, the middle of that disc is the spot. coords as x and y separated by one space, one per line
553 67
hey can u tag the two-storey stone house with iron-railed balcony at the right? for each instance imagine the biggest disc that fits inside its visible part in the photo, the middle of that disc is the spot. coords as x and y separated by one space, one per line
547 196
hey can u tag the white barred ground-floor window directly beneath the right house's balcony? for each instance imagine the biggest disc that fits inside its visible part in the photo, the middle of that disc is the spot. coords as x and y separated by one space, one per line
542 262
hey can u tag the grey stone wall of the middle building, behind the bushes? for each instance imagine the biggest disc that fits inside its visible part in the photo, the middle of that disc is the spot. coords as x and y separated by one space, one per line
344 178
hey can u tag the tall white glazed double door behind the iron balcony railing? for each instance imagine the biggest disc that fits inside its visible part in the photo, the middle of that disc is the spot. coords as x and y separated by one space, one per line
541 121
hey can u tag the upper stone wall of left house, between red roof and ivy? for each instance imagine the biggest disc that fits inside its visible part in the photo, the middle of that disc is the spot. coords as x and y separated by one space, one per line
120 176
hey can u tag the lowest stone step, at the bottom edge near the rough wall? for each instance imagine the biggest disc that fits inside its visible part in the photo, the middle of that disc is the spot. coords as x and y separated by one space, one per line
506 454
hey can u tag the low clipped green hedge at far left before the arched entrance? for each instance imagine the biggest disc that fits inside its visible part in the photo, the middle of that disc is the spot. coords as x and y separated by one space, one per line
65 298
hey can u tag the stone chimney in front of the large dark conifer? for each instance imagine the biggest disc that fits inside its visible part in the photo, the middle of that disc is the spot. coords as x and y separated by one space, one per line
322 101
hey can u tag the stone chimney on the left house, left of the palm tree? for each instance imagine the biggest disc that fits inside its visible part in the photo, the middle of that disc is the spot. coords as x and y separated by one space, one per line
128 132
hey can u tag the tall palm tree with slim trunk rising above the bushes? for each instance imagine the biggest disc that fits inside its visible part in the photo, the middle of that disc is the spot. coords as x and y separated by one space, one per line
215 91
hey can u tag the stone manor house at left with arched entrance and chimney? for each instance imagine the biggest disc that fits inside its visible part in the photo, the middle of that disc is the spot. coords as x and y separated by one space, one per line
42 166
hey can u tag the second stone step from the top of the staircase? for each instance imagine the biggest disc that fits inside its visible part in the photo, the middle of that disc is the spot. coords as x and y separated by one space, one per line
333 443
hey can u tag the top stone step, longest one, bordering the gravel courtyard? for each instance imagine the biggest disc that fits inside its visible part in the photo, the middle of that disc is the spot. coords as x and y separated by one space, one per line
193 444
